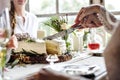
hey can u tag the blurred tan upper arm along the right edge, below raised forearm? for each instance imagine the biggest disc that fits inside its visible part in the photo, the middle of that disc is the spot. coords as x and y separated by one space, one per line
112 56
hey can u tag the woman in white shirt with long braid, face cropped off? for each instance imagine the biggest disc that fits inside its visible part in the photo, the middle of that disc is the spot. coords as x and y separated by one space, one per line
22 21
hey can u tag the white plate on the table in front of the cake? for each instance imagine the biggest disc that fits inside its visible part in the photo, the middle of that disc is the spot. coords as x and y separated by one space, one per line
74 69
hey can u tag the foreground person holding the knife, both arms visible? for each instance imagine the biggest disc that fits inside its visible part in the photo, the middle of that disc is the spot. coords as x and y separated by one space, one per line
89 17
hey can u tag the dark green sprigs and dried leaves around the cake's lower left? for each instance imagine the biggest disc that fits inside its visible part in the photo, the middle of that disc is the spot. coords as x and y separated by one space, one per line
18 58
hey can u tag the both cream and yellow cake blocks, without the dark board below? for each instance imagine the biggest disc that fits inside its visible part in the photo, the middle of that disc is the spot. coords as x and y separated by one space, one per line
40 46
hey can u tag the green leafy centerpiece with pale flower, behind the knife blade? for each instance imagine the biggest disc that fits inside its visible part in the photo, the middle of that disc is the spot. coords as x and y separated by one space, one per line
59 24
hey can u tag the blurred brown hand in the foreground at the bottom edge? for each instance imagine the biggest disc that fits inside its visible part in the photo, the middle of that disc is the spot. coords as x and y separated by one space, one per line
48 74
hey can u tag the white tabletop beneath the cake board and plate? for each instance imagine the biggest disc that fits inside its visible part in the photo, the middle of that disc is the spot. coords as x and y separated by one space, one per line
18 72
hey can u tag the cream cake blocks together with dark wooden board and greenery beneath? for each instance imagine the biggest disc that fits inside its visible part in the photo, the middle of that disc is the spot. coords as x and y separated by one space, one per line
36 52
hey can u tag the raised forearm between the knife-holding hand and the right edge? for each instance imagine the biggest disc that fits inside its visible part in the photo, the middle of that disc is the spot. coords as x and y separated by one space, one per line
107 18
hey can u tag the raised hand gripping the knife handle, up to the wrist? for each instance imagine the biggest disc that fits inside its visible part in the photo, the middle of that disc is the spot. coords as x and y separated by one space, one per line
88 17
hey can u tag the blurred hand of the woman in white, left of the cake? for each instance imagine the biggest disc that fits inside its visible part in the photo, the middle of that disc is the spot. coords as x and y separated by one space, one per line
13 43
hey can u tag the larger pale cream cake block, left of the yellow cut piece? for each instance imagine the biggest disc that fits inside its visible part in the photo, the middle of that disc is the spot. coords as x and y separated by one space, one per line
38 46
